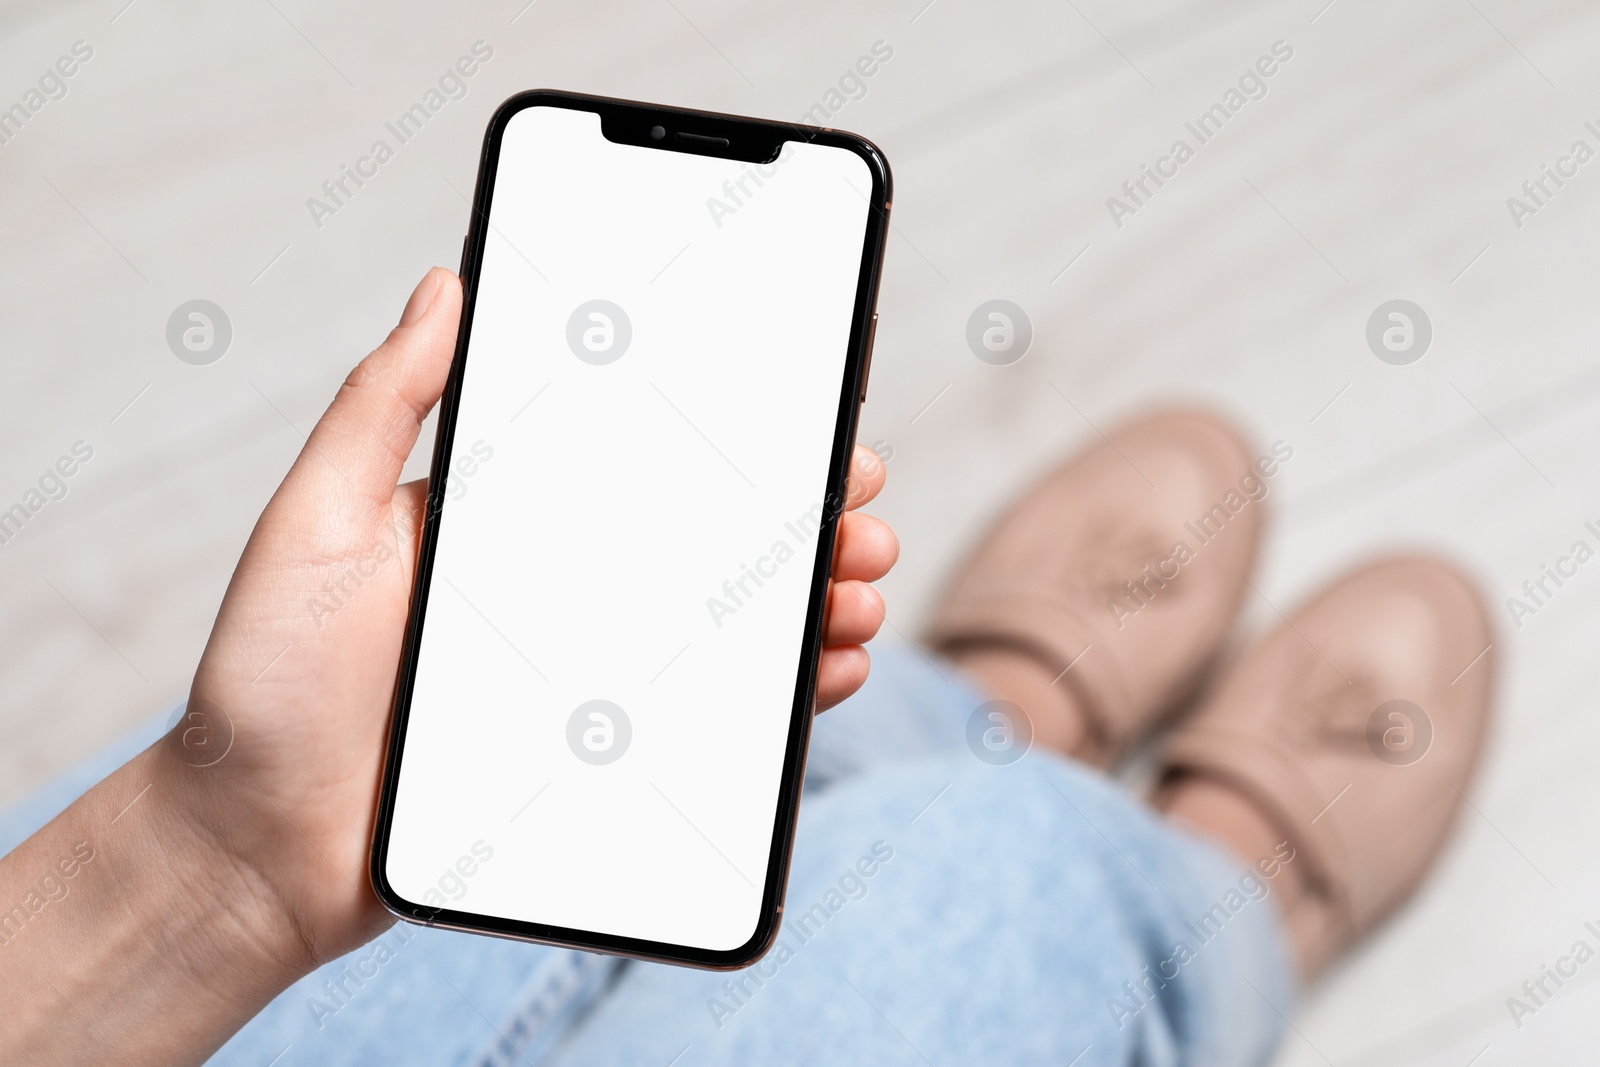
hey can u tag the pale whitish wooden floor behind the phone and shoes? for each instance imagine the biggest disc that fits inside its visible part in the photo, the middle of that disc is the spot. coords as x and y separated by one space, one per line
1377 167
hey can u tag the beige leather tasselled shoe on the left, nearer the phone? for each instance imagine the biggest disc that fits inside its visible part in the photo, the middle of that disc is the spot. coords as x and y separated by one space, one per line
1121 573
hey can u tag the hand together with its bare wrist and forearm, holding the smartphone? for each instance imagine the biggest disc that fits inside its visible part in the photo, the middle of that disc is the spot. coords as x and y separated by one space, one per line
231 858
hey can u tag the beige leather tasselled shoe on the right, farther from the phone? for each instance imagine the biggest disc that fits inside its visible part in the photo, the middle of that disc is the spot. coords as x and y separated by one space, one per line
1356 729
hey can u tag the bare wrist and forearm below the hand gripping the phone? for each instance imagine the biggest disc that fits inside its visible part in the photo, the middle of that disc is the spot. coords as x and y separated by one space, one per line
124 908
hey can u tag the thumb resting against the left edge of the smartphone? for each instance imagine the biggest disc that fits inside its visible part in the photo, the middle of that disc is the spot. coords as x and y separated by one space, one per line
369 431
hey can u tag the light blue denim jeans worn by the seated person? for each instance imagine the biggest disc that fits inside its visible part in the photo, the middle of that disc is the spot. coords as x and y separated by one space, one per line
942 911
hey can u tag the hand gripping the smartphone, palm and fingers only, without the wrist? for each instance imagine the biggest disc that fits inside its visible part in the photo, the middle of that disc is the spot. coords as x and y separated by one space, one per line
310 689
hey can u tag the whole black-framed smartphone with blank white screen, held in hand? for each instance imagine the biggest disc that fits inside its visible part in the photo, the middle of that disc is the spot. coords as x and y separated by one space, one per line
607 682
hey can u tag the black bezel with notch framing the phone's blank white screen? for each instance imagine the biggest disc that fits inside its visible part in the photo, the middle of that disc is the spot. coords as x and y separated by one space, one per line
746 140
